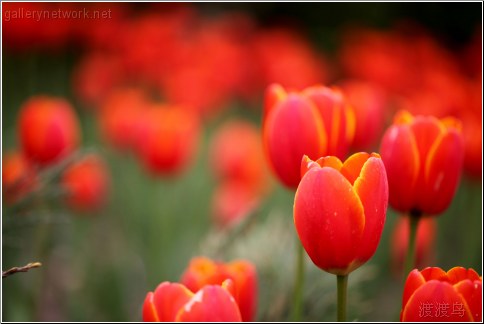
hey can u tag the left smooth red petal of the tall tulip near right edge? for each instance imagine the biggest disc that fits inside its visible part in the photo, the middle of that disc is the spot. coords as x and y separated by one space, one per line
402 163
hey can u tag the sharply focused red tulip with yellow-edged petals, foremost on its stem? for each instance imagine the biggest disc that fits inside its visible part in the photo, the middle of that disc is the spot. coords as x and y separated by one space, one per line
339 210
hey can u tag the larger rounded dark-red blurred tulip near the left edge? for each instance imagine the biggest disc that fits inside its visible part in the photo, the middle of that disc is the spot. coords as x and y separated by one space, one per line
48 129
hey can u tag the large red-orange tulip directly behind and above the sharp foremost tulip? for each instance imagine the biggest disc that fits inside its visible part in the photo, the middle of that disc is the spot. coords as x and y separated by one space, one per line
314 122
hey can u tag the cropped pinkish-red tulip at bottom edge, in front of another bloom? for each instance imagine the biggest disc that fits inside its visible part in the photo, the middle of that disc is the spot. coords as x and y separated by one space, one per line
173 302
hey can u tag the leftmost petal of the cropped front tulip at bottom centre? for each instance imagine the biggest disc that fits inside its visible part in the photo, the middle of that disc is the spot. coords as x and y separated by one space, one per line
169 298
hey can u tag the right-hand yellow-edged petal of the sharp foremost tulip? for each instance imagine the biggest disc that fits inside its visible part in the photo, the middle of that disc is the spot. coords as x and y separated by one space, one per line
372 188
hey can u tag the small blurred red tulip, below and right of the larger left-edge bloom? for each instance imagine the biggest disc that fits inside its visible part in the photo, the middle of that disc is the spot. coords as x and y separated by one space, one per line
87 183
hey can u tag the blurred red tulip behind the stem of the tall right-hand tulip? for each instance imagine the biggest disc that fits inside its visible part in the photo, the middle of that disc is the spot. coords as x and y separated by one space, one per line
424 242
